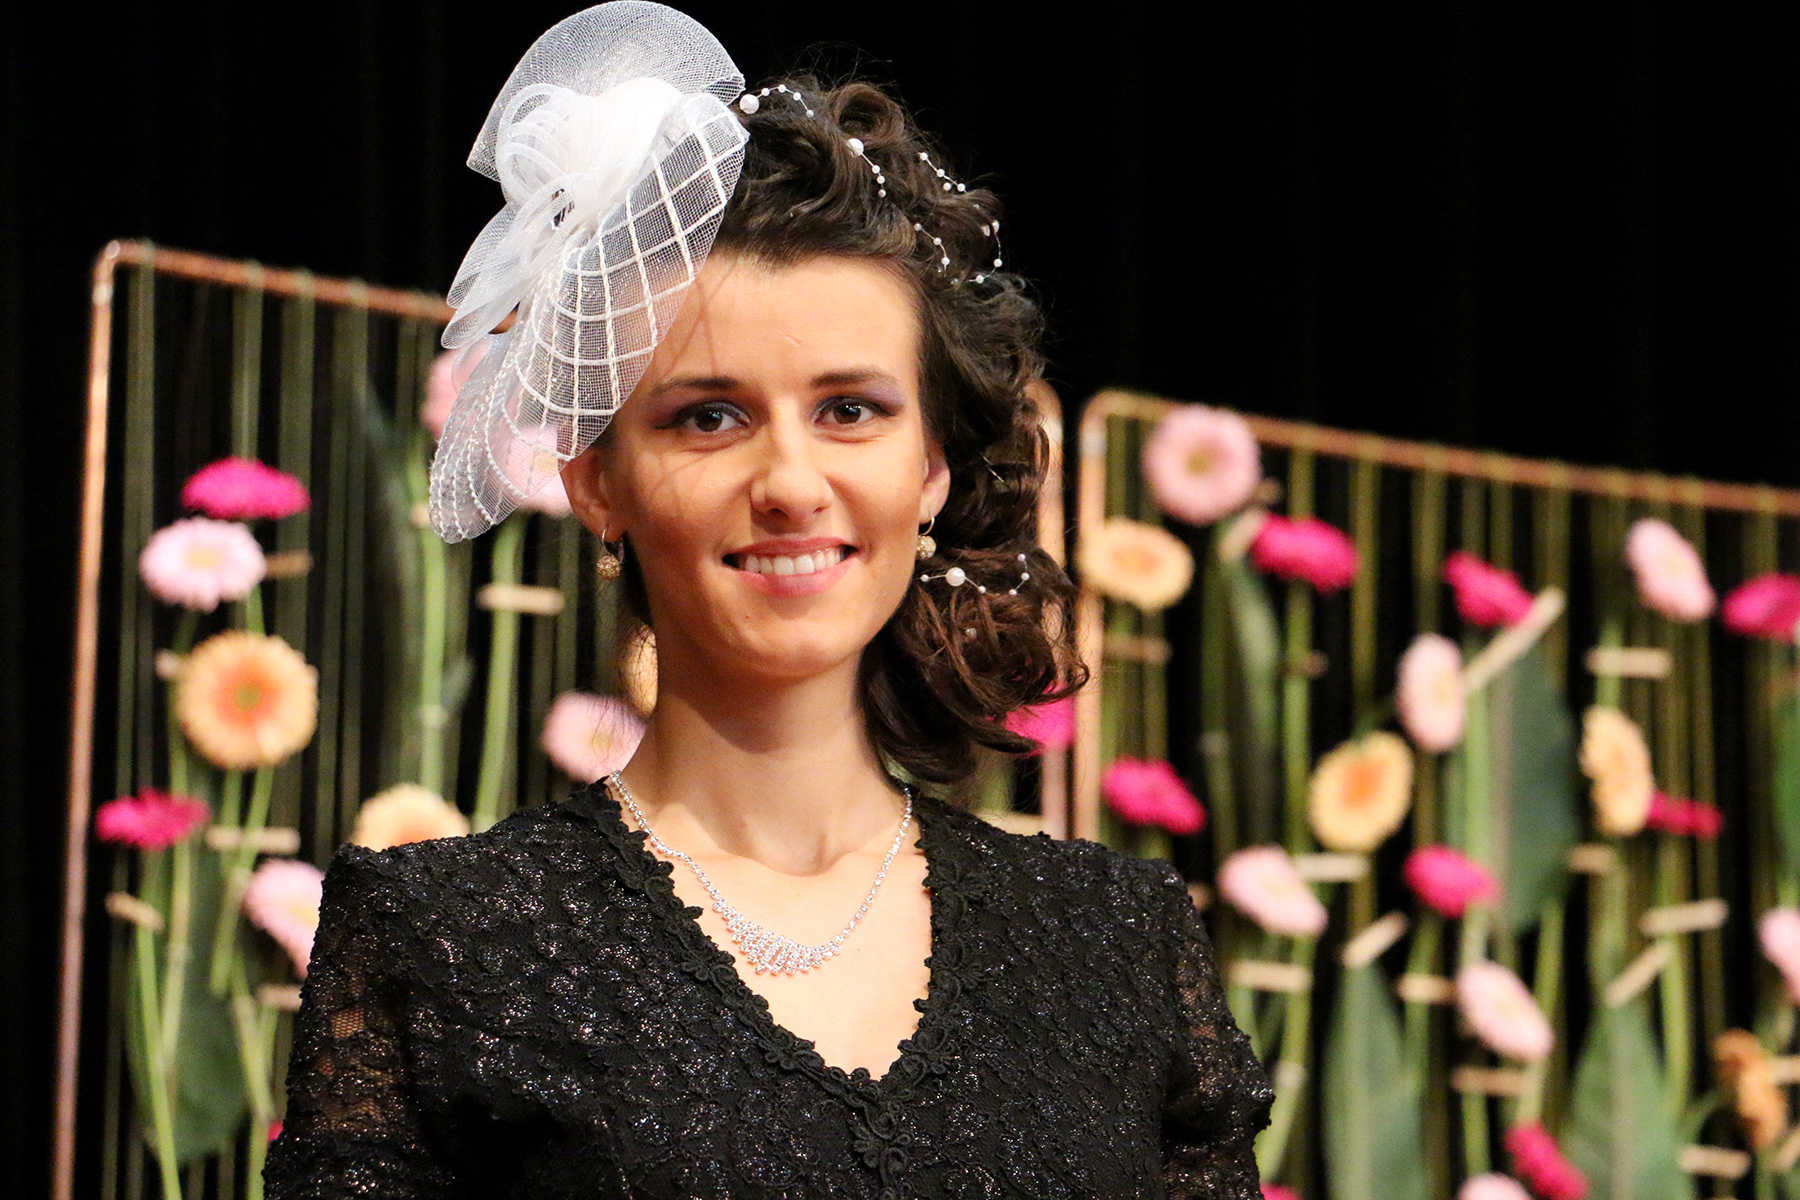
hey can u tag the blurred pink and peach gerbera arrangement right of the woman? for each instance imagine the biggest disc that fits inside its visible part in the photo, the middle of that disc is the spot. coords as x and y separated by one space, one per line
1450 1059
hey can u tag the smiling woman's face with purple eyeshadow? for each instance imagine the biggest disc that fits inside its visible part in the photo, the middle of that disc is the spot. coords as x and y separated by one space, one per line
773 467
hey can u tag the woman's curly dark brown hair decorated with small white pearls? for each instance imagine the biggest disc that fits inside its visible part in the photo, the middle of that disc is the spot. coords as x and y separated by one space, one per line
953 663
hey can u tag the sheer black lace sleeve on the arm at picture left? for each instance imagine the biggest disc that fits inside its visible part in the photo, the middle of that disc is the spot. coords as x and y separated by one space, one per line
352 1125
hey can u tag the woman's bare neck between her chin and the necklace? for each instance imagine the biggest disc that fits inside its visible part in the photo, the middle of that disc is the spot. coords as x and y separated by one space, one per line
782 773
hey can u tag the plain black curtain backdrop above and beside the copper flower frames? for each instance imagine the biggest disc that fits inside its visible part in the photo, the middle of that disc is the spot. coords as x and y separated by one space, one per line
1570 235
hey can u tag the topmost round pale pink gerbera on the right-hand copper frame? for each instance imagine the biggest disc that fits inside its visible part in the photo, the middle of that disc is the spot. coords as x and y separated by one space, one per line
1201 463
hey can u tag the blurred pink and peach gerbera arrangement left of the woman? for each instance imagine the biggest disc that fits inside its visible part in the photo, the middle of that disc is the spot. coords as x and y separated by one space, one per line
222 911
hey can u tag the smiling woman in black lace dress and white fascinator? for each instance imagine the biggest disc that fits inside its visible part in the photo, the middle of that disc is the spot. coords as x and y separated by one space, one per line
757 963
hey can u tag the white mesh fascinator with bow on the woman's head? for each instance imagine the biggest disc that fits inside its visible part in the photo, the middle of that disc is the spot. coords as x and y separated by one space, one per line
616 150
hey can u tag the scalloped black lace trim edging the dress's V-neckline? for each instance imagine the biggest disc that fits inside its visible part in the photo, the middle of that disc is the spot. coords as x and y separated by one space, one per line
654 879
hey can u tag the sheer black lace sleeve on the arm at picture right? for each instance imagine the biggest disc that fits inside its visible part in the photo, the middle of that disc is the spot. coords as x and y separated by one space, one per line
1219 1095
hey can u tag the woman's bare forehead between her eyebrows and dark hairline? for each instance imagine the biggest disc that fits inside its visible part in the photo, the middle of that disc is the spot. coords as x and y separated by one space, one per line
768 325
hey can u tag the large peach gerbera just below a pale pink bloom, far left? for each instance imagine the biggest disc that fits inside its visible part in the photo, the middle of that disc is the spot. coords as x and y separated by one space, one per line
247 701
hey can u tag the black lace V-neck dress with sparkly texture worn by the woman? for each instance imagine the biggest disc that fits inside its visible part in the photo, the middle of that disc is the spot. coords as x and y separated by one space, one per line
532 1012
